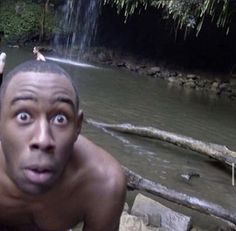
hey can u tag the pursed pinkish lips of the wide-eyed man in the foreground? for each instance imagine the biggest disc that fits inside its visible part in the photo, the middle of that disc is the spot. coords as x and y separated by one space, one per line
39 175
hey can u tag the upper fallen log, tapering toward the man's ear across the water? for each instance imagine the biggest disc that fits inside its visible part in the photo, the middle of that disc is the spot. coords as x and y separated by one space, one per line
216 151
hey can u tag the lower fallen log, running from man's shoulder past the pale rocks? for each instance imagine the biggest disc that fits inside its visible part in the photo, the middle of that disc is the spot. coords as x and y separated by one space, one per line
137 182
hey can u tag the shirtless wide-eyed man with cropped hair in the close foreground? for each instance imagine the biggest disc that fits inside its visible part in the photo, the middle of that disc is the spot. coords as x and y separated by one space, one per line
51 177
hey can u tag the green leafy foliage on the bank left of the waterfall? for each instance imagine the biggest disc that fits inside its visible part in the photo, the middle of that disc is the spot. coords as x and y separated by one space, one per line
23 20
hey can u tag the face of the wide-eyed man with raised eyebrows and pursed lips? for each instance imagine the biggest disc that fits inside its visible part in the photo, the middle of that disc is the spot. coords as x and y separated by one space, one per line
39 124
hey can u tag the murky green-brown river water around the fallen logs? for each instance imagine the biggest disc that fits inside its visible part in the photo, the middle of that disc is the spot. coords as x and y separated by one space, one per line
116 96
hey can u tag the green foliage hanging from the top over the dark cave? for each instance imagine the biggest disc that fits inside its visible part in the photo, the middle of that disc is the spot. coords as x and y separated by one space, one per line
188 14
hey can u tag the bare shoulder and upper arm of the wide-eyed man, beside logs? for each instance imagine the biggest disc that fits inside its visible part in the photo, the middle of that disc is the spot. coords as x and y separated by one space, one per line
106 187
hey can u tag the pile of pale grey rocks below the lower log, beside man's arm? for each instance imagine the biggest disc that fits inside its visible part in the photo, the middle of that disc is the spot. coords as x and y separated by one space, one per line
149 215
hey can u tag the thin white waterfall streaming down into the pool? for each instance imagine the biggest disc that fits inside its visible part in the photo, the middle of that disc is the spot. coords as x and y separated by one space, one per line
77 27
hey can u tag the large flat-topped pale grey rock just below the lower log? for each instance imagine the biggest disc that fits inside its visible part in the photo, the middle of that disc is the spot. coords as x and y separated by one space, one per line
158 213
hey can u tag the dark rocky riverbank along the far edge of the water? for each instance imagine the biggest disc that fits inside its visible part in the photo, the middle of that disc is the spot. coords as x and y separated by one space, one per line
217 84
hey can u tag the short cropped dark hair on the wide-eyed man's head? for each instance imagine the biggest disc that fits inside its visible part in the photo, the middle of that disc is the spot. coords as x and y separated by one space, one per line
36 67
